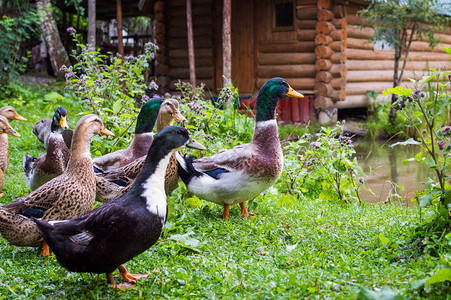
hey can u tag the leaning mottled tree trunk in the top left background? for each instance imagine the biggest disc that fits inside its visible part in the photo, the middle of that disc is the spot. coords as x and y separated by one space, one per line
57 53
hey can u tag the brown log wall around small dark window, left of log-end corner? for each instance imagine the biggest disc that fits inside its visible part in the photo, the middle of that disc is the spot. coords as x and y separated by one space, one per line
289 53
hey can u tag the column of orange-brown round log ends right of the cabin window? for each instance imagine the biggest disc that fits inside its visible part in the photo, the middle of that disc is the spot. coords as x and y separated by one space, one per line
330 58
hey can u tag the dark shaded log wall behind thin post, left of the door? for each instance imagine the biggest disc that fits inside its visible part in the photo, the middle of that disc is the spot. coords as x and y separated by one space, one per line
177 43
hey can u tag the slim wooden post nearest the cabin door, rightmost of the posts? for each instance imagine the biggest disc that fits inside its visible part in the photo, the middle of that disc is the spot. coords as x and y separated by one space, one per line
226 40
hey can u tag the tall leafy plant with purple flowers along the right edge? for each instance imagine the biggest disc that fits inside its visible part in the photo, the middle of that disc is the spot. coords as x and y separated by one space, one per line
426 108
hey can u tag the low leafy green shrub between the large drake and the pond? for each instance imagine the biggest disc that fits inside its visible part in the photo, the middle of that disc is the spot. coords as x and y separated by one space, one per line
322 166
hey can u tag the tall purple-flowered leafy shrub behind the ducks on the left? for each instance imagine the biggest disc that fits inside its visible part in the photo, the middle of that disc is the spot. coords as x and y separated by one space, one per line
110 87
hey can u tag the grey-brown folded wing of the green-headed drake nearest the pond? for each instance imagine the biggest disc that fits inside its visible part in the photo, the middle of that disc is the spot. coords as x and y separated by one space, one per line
228 161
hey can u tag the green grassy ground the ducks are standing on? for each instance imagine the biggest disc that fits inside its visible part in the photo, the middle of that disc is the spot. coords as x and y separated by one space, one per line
305 249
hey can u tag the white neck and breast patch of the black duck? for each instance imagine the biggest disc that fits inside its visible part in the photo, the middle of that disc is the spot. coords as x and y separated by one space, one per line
154 190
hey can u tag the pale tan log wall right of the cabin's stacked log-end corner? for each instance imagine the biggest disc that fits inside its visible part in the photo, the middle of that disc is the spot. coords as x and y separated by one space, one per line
369 69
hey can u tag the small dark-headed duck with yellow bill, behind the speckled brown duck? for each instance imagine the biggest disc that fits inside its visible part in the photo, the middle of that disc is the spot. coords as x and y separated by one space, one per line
52 163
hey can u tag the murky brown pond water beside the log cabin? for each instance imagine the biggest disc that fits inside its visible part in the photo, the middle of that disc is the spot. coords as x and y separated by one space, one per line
384 166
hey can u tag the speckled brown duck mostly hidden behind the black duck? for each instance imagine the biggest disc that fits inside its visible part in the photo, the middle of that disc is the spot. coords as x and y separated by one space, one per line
113 183
